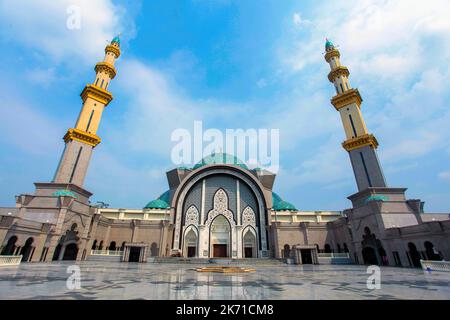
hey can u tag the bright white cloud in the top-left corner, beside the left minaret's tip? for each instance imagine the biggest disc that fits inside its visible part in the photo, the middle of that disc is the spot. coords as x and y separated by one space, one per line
41 26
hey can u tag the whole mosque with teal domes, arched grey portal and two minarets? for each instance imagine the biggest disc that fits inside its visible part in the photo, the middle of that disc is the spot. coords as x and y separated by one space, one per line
220 208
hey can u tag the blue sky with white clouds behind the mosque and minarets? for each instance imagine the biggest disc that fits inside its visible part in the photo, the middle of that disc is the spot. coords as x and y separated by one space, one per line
231 64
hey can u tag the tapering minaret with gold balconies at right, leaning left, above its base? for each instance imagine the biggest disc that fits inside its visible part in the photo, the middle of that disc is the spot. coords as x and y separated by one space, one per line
360 144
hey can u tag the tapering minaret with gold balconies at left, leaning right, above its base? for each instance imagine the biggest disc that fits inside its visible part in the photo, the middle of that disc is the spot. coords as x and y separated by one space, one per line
81 140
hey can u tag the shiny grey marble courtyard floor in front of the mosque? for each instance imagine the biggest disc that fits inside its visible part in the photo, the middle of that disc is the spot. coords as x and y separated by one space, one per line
114 280
